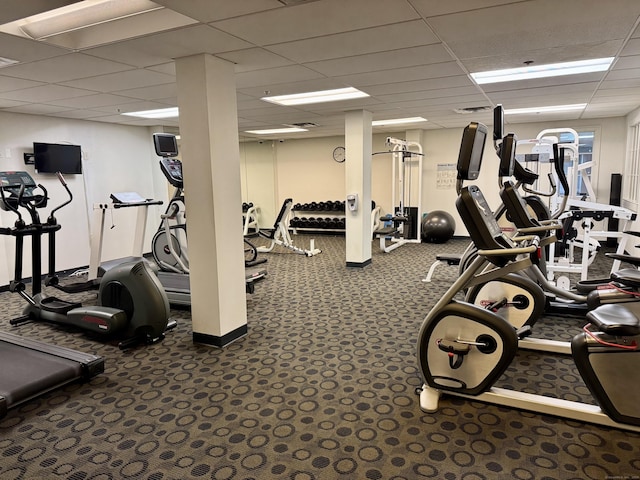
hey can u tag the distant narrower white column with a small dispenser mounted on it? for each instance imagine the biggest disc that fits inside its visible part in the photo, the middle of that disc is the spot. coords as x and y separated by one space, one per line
358 147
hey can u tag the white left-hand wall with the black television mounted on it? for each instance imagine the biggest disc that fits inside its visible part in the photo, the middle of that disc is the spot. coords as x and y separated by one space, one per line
116 158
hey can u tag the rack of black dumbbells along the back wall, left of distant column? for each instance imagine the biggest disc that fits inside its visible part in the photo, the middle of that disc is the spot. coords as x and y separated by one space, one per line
327 216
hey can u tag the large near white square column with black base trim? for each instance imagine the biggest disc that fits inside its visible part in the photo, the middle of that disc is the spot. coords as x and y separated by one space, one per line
211 169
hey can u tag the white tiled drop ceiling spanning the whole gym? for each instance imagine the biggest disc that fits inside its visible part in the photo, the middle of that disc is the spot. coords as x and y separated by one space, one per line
413 57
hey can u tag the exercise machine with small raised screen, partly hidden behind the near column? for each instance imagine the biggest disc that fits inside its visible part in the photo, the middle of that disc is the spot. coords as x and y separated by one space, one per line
173 272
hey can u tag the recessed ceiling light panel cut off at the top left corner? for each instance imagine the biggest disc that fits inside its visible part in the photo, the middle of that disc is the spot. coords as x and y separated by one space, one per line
80 15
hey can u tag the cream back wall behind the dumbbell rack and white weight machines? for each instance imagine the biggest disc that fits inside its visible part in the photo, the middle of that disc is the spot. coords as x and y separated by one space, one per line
306 172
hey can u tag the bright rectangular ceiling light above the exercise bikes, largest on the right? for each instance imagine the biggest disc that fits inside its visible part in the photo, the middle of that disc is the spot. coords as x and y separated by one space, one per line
541 71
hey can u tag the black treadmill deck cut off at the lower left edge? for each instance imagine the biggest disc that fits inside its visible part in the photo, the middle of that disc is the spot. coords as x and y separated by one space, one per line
31 368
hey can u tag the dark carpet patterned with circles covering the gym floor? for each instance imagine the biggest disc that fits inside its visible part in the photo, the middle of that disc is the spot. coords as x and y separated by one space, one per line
322 387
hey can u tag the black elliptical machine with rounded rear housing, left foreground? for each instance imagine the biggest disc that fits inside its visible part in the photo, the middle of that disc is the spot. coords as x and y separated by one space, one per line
131 302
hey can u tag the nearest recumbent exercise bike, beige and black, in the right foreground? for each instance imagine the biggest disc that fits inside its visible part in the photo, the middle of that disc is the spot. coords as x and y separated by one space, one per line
463 349
